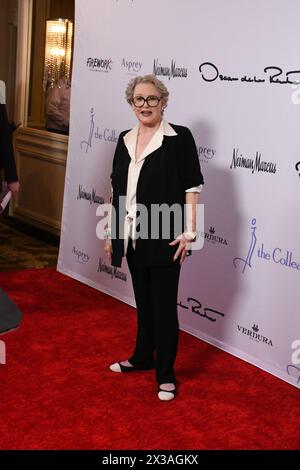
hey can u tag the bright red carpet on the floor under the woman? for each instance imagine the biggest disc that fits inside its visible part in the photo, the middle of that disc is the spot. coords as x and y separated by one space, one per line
57 391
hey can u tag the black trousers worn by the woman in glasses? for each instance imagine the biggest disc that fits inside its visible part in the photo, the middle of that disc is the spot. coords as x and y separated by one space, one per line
155 289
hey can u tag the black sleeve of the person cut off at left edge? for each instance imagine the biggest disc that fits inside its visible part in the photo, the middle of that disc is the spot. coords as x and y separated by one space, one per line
7 160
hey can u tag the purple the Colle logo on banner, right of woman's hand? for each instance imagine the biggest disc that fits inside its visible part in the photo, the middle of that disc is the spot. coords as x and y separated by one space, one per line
281 257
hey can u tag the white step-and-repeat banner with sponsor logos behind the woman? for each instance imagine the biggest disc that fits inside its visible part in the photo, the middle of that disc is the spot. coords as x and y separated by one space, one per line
232 70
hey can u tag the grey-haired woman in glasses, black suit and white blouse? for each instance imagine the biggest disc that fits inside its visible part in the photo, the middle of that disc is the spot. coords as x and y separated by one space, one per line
155 164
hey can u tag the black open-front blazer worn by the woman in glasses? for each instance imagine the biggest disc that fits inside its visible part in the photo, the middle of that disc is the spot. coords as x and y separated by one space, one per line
165 175
